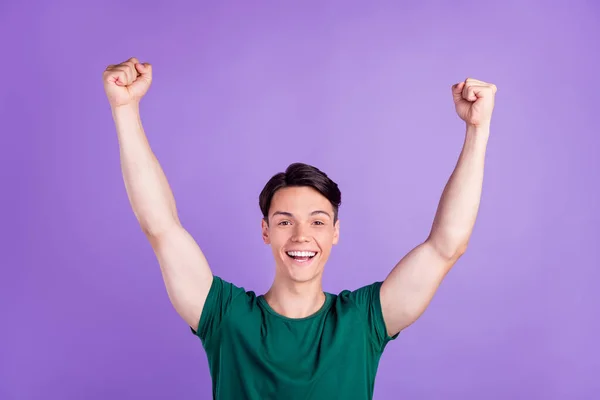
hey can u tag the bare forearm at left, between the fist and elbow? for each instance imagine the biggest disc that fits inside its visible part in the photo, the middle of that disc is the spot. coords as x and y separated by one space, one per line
147 187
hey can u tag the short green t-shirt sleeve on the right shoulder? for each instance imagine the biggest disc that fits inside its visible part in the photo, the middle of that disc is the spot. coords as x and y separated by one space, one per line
367 300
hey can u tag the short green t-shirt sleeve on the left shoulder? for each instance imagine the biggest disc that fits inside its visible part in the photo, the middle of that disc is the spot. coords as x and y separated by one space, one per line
220 298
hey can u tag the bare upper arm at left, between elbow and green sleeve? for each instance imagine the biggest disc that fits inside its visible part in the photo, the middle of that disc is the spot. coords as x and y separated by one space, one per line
185 271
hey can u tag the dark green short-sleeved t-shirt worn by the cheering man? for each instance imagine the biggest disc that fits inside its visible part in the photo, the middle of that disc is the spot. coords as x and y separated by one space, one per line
256 354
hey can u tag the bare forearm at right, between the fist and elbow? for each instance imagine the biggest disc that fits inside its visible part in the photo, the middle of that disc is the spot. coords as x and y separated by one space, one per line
459 204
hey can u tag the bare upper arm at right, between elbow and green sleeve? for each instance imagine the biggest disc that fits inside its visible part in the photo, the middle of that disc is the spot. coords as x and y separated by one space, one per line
411 285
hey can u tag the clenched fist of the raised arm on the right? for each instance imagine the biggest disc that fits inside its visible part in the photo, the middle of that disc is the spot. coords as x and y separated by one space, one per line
474 101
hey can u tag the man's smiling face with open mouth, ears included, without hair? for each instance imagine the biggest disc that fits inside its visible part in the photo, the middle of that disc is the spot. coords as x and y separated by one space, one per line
301 232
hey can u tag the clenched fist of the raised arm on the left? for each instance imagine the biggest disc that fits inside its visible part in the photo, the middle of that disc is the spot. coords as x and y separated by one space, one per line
127 83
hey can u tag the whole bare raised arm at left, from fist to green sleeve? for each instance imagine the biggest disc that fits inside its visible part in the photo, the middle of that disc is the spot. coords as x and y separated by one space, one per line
185 270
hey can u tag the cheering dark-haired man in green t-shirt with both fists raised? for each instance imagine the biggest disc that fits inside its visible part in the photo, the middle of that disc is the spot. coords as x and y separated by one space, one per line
296 341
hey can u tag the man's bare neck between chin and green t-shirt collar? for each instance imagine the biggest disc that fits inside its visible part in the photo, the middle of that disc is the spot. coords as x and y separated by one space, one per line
295 299
